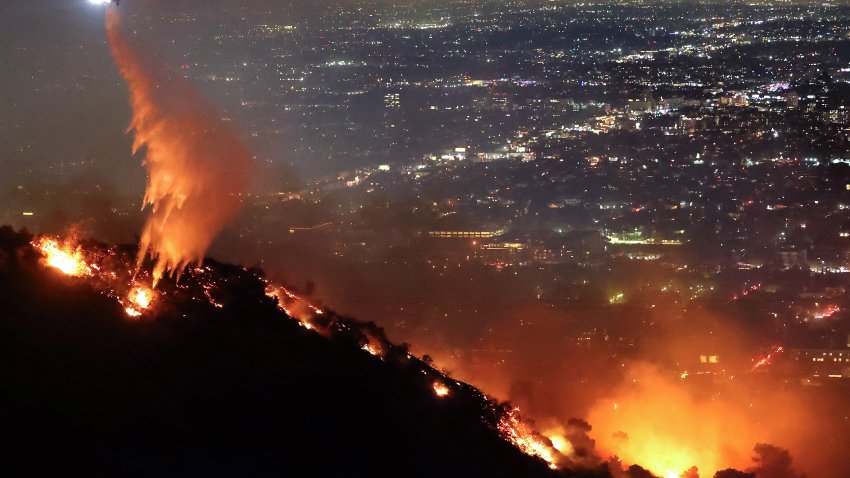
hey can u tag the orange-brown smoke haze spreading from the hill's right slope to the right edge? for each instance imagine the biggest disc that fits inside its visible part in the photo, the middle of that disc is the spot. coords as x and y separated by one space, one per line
661 421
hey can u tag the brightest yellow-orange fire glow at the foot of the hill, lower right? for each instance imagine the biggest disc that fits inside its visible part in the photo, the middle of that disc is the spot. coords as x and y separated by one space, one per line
655 422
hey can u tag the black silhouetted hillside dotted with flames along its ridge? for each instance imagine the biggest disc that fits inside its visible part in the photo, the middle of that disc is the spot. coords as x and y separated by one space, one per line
211 373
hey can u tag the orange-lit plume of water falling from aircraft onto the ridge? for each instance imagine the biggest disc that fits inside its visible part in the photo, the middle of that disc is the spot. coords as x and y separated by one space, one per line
197 168
